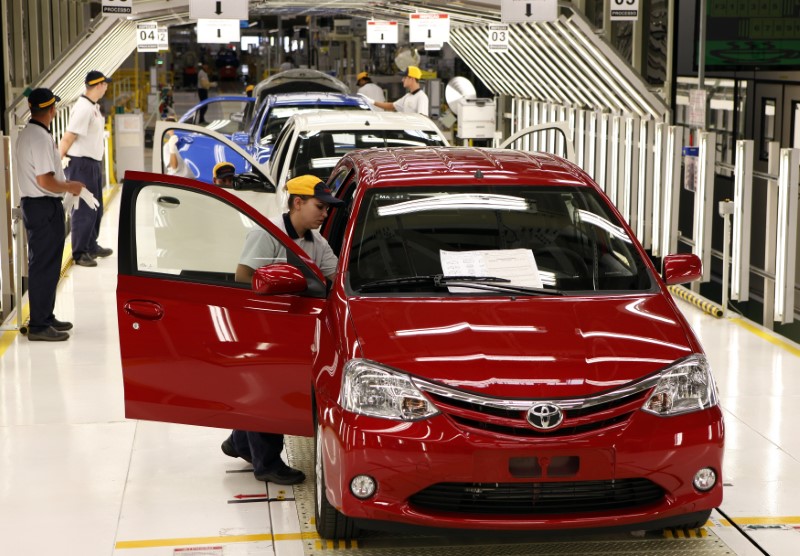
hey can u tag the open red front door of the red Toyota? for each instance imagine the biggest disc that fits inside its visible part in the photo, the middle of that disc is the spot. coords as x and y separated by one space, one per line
197 346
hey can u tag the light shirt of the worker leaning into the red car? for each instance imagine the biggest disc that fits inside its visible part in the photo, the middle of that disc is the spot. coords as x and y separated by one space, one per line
261 248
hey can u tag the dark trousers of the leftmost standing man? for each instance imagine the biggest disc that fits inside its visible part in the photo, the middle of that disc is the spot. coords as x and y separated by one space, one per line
44 224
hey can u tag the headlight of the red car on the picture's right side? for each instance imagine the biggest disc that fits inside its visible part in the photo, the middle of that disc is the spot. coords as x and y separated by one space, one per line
685 387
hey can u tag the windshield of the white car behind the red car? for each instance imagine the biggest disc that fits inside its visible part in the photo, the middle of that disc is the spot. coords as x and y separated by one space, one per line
318 152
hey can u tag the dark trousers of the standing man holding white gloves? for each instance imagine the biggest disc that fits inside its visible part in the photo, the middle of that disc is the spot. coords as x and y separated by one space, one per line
86 220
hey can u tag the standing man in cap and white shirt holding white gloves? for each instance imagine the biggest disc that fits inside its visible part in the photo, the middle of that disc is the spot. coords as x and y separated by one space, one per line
83 145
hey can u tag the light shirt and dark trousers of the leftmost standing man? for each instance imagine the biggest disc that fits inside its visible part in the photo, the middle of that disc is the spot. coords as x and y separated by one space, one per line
36 154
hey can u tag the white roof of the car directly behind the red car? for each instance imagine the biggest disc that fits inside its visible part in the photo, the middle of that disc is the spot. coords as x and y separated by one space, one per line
333 120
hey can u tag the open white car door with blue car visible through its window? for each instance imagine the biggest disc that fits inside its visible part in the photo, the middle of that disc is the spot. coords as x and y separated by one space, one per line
202 148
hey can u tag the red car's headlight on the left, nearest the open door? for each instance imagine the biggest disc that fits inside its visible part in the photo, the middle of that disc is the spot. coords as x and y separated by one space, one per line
374 390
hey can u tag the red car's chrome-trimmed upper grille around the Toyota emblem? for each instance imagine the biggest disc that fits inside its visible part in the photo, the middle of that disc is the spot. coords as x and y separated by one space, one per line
509 417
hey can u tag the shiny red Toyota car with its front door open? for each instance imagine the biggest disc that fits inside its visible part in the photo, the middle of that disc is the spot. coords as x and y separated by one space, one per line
496 351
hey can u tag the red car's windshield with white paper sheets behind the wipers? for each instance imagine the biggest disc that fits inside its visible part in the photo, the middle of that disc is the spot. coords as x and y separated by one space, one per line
558 239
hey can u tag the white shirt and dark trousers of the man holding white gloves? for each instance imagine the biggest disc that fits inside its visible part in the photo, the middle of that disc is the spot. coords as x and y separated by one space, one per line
86 156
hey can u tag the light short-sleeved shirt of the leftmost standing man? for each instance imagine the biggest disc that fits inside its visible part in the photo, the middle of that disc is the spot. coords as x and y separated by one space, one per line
36 154
